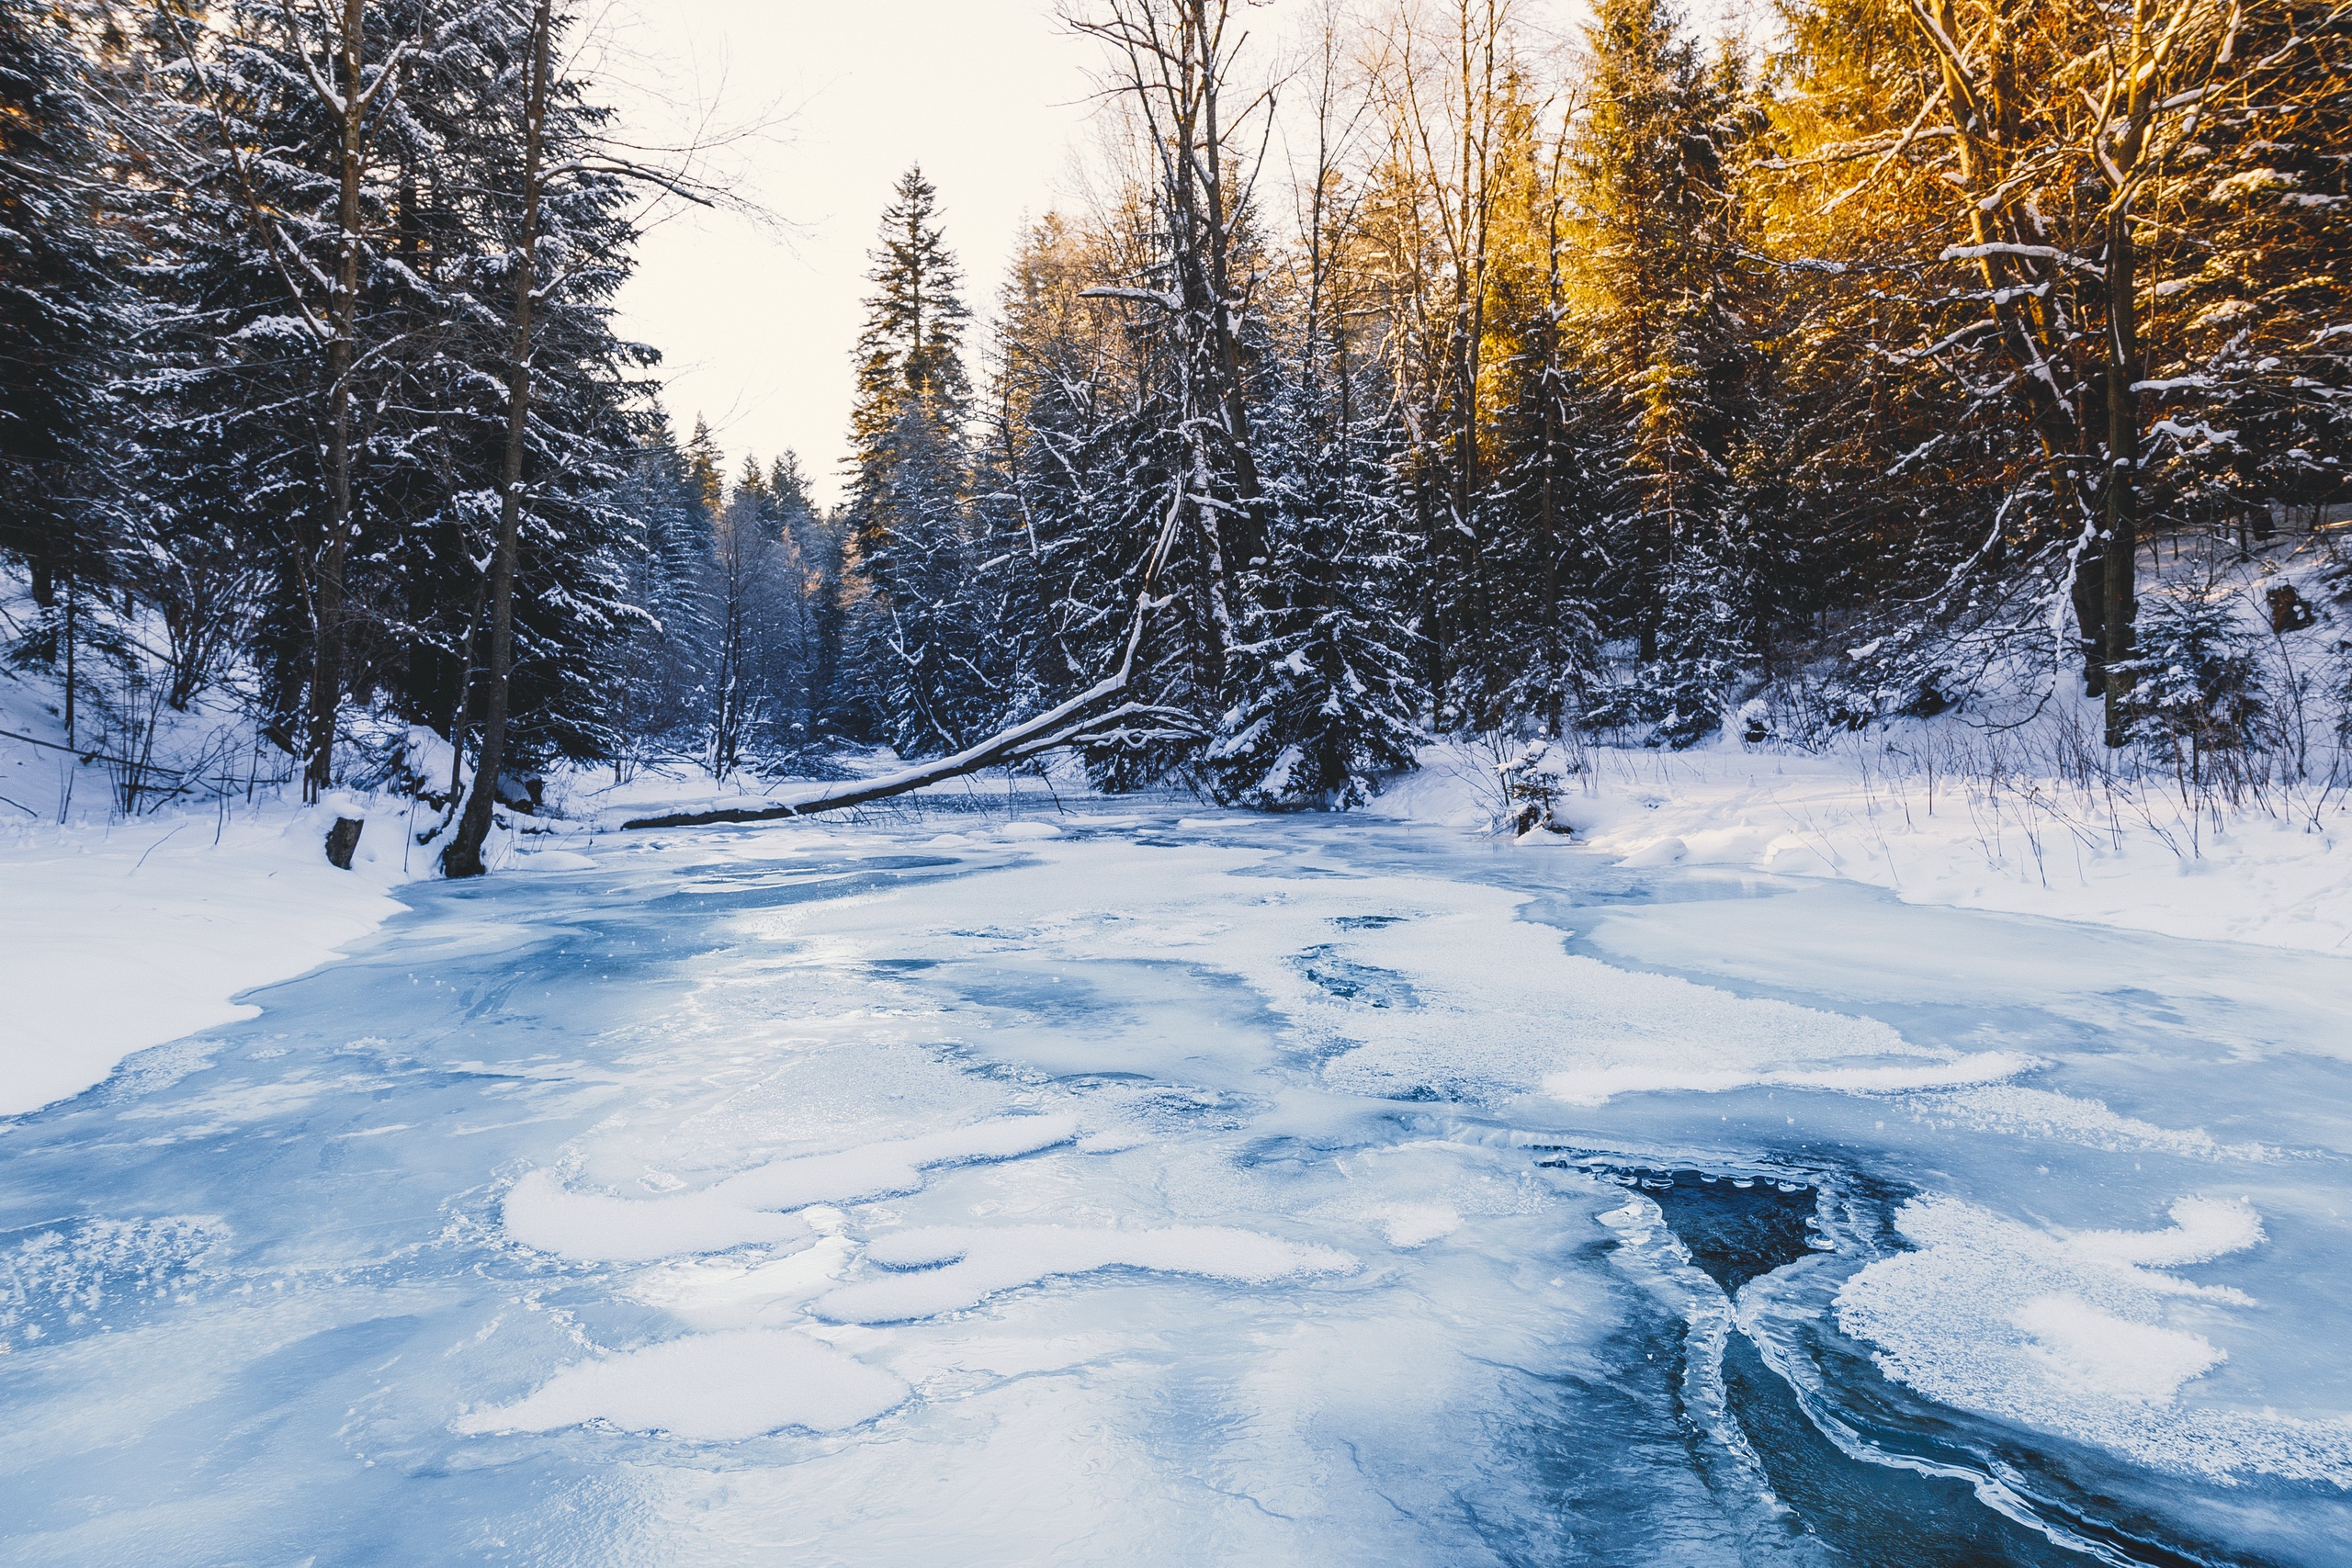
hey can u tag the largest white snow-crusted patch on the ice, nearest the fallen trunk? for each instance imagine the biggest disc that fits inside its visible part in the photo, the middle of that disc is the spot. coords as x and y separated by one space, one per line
1485 1005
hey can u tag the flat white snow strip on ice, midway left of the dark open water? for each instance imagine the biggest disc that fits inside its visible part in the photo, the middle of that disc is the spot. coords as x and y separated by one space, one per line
965 1266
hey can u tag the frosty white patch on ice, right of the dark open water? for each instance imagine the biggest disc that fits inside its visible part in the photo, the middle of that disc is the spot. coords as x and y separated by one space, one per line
2083 1336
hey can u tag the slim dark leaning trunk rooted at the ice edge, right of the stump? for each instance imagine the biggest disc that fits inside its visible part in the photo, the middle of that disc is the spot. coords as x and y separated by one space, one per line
465 855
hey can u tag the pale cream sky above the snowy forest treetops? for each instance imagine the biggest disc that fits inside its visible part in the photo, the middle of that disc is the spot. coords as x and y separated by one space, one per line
756 326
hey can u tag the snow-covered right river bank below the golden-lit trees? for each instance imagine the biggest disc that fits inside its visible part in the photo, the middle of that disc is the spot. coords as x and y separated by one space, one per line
1873 812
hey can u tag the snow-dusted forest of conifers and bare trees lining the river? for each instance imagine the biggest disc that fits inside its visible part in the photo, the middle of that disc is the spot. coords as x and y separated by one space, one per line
1408 373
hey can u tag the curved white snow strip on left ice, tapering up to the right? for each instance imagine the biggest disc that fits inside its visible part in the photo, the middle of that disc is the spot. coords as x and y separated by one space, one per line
596 1228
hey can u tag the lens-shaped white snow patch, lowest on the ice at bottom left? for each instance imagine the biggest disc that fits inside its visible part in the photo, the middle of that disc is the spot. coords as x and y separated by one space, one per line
716 1388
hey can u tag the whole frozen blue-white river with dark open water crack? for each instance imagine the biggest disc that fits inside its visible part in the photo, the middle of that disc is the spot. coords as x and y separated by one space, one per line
1163 1188
